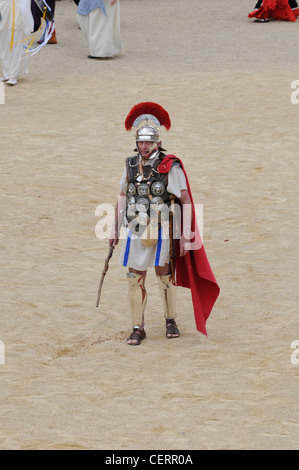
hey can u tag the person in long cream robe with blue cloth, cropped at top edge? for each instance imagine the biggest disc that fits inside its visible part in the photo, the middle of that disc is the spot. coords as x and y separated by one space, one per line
102 32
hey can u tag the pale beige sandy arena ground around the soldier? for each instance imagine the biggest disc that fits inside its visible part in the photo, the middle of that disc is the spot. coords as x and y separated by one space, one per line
69 380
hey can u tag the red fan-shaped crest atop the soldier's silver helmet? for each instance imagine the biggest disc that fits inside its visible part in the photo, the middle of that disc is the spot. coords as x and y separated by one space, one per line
147 111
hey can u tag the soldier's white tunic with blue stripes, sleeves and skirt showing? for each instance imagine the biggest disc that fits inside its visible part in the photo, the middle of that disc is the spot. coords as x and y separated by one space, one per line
133 253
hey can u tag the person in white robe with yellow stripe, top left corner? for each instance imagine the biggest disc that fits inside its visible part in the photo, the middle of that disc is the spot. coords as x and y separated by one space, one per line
16 23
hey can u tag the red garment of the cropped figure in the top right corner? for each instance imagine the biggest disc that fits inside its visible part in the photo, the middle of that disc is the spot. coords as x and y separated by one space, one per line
276 9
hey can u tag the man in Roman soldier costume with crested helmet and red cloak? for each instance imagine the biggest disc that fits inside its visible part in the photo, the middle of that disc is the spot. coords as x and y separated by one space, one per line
157 211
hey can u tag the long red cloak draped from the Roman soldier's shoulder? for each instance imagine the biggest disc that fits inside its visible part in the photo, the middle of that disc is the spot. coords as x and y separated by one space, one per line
193 270
